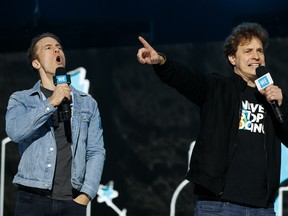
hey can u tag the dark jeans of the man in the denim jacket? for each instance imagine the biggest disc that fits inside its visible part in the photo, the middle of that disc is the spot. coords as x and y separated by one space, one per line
30 204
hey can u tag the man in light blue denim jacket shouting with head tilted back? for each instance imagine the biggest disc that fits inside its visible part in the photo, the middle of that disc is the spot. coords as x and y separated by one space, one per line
58 173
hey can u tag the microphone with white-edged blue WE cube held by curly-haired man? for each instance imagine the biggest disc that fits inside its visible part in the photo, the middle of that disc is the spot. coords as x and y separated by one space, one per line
263 81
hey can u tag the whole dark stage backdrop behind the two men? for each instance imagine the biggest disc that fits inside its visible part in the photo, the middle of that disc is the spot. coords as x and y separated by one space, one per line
148 127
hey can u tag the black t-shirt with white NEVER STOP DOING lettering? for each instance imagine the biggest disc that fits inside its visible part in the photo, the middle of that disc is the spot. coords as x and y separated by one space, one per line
245 180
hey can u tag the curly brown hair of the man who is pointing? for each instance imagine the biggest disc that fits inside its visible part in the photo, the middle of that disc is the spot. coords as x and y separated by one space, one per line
244 33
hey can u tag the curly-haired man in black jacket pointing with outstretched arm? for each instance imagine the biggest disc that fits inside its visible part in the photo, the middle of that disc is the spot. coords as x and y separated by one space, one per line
235 164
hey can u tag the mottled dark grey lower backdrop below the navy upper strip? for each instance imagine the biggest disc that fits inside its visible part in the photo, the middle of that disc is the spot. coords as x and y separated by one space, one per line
148 127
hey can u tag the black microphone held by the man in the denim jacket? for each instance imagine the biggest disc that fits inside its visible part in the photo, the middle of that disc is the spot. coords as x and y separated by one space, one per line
64 109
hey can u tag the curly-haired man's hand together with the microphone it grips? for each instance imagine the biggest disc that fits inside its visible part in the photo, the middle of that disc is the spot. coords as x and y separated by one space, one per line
272 92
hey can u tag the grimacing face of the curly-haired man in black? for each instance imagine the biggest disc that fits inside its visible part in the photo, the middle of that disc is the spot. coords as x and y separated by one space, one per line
248 57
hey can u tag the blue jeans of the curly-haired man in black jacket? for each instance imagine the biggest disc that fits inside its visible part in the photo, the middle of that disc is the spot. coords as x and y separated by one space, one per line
217 208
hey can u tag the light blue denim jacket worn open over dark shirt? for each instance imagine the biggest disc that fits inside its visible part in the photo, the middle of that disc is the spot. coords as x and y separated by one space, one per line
28 123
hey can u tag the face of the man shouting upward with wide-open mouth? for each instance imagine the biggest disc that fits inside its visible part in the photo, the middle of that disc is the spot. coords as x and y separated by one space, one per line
49 56
